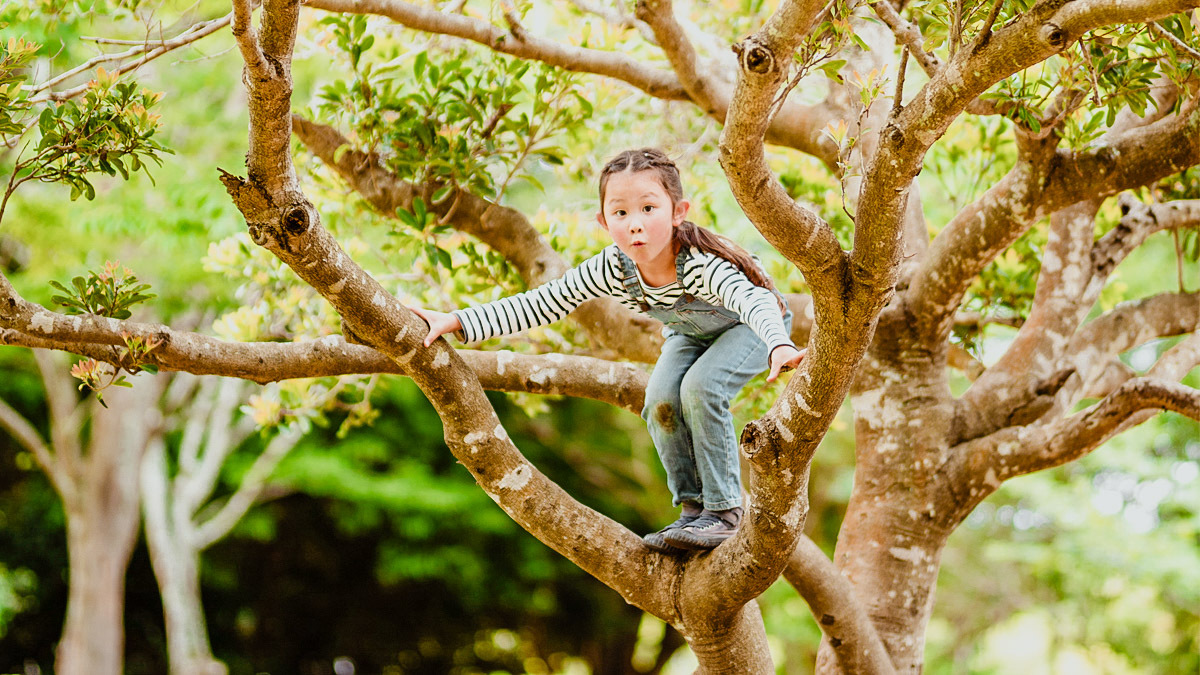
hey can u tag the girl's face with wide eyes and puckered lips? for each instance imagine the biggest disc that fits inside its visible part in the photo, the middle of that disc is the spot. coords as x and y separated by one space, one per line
641 218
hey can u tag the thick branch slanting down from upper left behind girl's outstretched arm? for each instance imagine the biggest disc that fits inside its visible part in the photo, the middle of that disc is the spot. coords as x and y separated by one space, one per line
505 230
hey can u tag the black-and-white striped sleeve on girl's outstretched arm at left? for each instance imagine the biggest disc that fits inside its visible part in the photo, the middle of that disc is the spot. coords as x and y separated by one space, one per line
539 307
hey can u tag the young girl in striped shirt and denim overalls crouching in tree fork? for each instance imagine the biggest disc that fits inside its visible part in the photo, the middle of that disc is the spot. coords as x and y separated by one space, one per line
724 326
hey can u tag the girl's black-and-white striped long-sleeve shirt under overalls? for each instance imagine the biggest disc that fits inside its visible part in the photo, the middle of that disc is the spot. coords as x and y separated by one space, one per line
711 279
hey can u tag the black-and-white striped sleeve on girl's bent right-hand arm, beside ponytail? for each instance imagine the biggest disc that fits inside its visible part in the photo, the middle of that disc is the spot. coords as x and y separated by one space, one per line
724 284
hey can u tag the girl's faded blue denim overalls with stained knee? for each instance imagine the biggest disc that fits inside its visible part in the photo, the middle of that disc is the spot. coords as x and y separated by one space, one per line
709 356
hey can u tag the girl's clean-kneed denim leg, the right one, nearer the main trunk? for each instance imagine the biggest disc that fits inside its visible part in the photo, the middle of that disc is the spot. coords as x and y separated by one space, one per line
706 391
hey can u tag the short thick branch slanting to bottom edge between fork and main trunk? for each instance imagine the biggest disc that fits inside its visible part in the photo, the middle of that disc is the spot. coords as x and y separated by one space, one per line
837 608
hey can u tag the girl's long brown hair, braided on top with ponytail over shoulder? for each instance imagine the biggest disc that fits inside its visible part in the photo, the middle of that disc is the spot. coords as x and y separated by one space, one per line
688 234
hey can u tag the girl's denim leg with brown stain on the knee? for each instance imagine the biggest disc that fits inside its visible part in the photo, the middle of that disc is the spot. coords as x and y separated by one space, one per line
664 417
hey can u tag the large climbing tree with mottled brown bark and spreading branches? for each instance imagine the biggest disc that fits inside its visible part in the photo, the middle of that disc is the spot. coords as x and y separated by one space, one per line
1097 99
